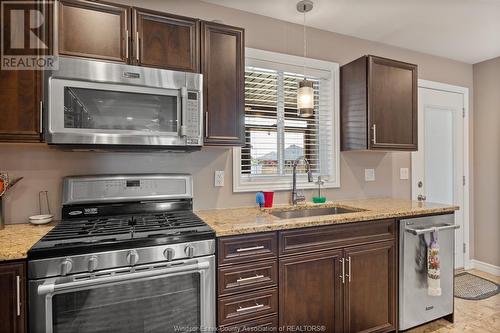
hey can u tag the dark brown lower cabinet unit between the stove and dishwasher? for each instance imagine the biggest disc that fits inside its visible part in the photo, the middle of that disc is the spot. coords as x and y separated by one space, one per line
338 278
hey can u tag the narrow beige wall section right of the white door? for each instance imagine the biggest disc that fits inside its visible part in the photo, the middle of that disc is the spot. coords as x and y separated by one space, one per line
487 161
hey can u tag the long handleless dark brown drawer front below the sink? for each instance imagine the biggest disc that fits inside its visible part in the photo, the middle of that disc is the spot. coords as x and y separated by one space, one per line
336 236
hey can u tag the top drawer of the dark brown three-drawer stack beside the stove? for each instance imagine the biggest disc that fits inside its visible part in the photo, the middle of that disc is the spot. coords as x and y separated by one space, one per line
246 248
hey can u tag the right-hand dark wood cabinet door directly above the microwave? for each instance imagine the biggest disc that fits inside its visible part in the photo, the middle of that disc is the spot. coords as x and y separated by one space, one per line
166 41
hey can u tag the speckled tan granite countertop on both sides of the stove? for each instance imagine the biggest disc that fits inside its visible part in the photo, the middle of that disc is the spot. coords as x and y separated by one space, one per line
17 239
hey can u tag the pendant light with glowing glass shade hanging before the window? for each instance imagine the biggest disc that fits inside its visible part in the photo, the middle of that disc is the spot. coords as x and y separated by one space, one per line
305 94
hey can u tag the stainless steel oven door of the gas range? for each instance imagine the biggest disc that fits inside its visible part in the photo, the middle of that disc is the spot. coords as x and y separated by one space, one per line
176 298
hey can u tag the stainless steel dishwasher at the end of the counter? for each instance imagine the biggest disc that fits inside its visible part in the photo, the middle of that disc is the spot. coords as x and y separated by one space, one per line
416 307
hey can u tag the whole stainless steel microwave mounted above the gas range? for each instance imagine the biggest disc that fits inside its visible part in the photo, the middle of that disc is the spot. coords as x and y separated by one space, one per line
104 104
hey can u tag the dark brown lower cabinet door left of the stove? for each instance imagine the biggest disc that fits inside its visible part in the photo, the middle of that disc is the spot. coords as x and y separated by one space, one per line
12 304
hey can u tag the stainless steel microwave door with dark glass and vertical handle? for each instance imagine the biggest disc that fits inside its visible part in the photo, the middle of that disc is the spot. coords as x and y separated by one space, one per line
85 112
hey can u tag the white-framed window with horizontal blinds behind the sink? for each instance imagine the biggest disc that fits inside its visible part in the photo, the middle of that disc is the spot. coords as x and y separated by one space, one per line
275 134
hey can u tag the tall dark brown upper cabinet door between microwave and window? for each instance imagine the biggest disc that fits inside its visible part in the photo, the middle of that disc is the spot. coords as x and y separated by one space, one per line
222 65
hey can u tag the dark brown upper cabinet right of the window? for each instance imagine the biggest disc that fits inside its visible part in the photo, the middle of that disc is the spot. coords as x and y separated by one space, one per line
379 104
